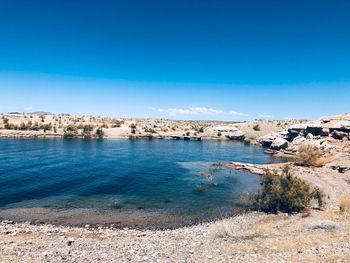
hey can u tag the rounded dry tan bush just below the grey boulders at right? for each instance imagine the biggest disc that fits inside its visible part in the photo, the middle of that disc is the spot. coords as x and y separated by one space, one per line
309 155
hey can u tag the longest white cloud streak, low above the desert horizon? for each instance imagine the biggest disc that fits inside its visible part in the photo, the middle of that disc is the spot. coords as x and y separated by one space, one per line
198 111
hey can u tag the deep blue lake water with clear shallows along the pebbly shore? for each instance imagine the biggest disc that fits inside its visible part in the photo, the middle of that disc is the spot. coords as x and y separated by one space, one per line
121 181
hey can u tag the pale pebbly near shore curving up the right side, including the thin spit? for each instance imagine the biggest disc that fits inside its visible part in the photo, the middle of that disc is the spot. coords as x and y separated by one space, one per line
311 236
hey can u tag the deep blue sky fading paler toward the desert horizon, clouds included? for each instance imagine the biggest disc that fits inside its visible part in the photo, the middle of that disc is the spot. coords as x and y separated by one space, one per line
218 59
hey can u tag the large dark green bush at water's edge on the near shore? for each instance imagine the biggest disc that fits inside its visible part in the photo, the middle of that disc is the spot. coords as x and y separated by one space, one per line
286 193
